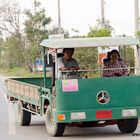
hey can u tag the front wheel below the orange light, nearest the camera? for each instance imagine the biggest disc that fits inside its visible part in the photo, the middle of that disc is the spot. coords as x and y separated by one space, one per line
53 128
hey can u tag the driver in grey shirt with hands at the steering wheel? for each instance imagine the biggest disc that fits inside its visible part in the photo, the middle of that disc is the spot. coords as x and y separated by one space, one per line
67 62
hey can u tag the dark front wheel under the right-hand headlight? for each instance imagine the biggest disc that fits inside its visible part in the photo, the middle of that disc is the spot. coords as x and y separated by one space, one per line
127 125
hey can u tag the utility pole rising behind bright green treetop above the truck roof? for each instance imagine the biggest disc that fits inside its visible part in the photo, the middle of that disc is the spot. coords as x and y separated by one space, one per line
102 14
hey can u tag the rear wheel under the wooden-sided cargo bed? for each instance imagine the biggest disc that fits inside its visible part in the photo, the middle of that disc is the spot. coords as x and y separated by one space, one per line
24 116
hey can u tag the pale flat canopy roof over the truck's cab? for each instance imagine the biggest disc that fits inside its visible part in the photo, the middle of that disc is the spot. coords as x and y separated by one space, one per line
89 42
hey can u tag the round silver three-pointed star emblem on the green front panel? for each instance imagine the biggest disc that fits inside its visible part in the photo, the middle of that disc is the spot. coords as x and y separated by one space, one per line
103 97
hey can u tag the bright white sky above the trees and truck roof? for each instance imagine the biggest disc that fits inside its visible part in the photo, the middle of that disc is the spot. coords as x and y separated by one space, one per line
81 14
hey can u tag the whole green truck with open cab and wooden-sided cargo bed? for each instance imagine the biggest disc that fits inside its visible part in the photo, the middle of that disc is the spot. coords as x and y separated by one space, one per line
66 102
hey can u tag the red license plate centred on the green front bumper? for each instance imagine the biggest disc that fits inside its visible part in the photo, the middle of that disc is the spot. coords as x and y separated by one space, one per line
101 114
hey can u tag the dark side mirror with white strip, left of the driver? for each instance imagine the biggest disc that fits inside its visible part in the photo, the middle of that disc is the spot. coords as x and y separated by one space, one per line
48 58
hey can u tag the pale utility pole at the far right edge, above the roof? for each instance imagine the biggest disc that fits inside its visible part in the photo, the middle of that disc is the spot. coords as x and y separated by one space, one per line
136 16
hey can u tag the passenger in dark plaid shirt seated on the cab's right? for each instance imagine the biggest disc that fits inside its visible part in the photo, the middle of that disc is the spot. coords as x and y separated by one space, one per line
115 63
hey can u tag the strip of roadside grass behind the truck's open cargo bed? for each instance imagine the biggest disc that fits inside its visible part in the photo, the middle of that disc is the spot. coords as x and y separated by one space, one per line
19 72
